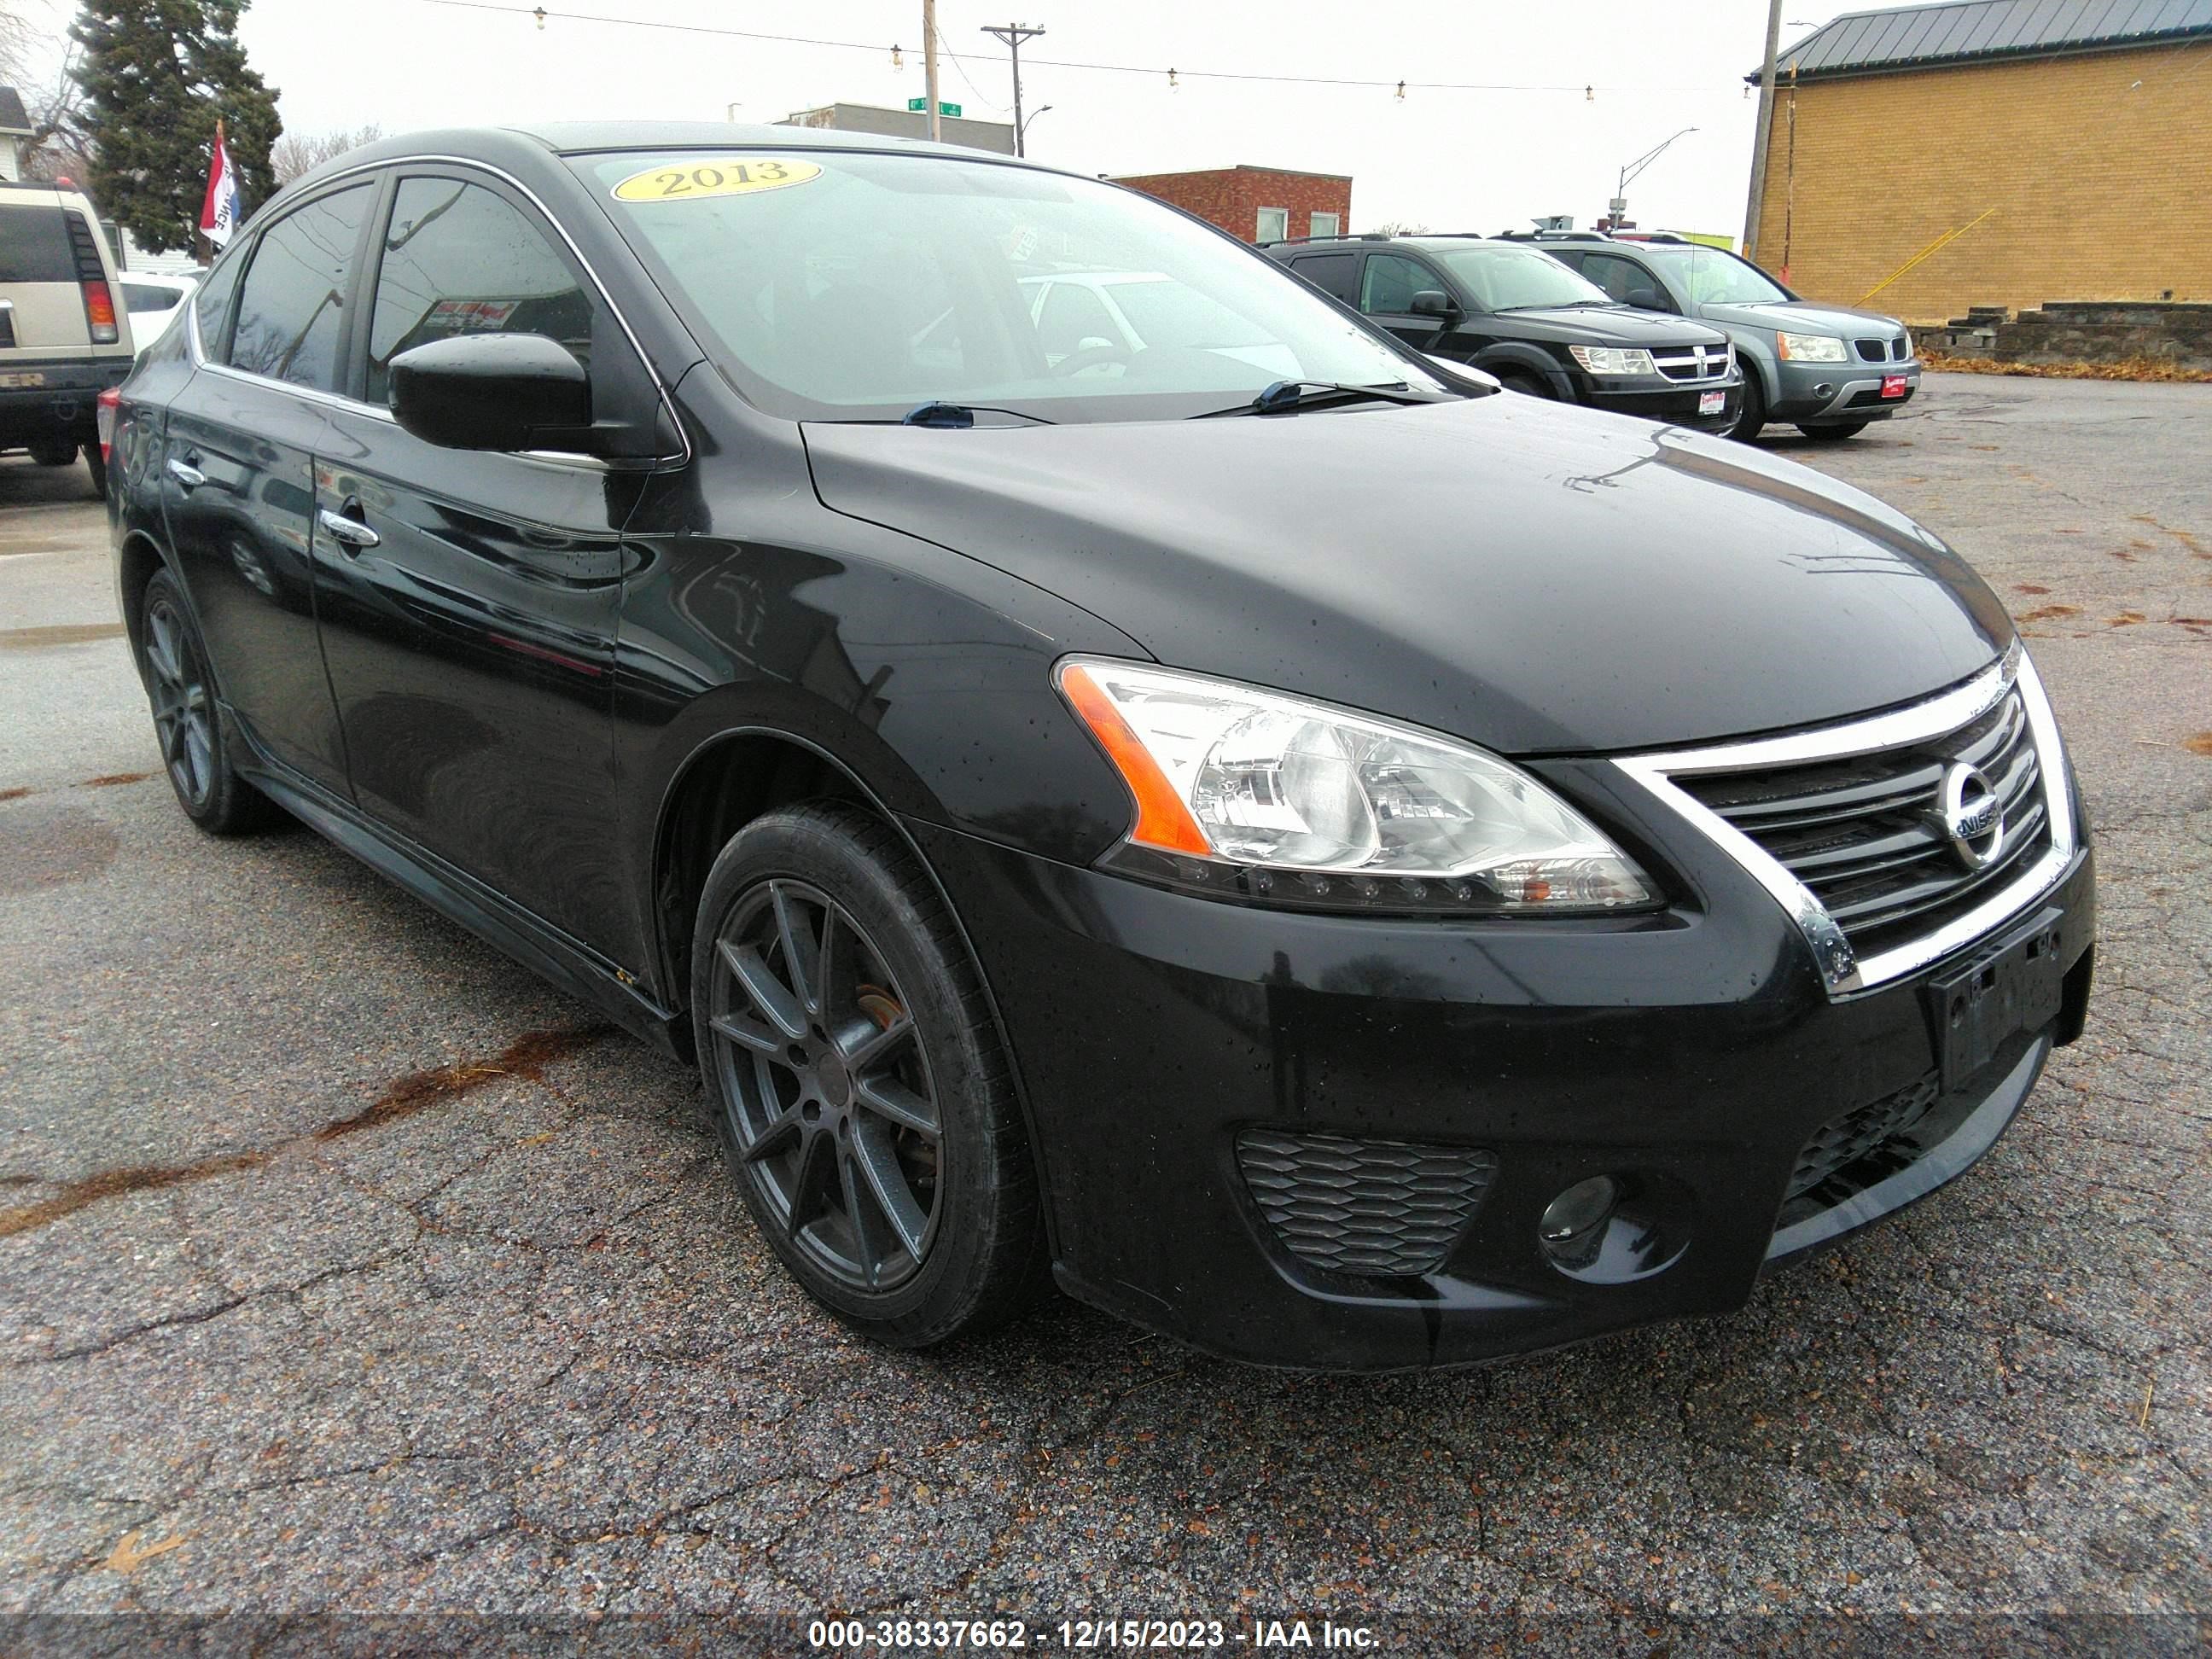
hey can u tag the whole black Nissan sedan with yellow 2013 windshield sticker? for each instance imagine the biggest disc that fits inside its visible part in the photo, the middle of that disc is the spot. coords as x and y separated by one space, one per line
1308 855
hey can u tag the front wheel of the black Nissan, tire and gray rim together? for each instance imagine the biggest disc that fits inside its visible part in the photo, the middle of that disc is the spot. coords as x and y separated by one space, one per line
859 1083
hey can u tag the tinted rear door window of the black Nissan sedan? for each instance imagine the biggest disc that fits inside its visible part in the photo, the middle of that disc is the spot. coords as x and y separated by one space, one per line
293 304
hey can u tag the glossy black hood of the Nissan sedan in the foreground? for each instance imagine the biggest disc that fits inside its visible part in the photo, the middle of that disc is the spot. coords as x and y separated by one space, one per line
1523 574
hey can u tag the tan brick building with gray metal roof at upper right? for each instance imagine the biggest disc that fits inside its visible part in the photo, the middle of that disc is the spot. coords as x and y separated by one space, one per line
2065 143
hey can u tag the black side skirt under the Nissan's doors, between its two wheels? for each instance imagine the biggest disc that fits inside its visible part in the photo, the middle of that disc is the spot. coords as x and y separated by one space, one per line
452 893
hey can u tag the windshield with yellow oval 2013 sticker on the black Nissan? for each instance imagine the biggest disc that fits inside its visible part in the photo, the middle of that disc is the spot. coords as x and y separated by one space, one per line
853 286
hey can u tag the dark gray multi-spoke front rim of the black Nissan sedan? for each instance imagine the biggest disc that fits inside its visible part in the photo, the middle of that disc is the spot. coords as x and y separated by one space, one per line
828 1089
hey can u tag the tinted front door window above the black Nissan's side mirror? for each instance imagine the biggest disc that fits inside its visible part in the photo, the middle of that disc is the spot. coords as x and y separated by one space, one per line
463 260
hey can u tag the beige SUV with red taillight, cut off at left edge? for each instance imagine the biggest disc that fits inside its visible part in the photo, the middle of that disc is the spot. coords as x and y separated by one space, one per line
65 333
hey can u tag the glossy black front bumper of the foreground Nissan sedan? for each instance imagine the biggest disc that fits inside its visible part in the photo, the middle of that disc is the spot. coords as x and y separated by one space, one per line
1693 1050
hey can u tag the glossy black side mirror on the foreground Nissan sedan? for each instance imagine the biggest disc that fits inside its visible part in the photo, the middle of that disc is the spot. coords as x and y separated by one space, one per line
494 393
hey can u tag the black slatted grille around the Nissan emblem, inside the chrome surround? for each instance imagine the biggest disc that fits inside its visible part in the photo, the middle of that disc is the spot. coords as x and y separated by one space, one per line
1864 831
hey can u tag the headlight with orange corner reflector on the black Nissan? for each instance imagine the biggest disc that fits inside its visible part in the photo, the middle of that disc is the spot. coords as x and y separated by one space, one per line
1275 800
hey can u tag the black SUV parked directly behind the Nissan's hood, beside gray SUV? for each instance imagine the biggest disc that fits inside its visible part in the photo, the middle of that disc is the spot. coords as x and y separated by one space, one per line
1532 322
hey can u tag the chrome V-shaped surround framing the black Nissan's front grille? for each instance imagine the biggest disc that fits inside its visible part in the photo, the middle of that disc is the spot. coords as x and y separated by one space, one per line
1846 972
